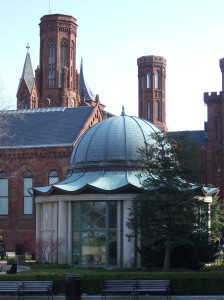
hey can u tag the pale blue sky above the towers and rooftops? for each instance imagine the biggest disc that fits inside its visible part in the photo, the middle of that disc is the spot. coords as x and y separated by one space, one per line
112 35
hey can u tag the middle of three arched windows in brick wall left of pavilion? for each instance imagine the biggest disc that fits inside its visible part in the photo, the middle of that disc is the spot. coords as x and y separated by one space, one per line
27 198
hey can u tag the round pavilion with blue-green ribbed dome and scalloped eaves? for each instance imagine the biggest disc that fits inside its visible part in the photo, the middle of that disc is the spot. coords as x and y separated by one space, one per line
87 211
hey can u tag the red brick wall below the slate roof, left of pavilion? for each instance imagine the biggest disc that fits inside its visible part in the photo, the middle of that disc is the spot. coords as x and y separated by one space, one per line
17 228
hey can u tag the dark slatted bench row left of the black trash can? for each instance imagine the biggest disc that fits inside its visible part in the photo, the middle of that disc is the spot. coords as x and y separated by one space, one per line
21 288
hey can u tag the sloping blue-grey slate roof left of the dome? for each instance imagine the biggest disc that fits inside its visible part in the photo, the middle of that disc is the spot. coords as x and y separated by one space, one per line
43 127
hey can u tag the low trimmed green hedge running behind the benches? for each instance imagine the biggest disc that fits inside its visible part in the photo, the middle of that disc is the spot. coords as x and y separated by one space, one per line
189 283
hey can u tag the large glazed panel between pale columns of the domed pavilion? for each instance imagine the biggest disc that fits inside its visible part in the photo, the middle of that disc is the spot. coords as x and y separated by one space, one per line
95 234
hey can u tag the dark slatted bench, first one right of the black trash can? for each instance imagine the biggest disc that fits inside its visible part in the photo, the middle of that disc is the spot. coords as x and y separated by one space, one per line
119 287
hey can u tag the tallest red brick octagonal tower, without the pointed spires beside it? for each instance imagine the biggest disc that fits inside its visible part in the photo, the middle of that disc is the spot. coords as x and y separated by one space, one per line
57 51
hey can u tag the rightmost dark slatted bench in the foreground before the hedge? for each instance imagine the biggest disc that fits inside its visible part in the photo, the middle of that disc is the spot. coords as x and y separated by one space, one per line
152 287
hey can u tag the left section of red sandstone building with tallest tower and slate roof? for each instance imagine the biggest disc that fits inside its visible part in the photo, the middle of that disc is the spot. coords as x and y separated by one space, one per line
53 109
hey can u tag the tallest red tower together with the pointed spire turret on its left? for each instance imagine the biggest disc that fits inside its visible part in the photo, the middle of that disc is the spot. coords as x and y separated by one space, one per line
56 81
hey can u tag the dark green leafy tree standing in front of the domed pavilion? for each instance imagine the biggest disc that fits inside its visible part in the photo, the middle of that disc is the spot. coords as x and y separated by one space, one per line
168 214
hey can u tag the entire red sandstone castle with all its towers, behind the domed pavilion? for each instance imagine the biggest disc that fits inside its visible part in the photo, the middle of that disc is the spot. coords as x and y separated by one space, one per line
56 106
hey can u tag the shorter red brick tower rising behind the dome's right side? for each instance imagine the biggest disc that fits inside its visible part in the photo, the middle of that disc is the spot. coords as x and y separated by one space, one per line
151 90
